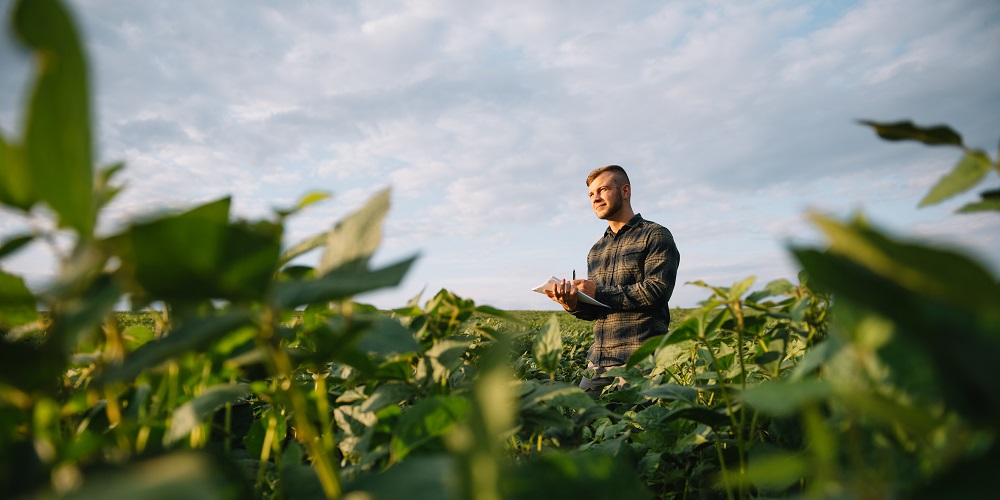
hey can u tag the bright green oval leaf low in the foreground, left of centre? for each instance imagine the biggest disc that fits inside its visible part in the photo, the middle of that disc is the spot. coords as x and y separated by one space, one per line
426 420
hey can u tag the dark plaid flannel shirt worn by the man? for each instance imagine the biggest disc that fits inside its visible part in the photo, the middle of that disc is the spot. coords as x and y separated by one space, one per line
635 271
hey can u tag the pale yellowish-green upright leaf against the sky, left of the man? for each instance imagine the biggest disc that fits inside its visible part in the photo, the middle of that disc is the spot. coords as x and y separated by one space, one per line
355 239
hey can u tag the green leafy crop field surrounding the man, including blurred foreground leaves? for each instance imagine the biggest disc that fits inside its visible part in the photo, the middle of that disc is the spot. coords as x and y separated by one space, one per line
240 375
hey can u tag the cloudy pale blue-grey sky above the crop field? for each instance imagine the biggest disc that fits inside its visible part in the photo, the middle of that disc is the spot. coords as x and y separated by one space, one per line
733 118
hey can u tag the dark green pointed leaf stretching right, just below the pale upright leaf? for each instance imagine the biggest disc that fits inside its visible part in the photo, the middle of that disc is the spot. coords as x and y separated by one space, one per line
340 284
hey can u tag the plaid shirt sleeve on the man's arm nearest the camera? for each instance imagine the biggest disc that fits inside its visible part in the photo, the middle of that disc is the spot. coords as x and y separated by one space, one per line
654 284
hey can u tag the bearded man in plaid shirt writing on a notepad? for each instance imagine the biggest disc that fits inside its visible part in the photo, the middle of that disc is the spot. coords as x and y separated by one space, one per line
632 269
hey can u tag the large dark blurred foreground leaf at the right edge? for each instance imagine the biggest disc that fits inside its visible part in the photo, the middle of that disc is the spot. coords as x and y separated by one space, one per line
933 312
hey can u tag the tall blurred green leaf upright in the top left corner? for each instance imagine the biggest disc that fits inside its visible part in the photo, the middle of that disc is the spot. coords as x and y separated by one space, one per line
57 143
